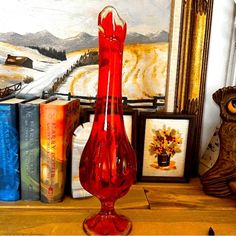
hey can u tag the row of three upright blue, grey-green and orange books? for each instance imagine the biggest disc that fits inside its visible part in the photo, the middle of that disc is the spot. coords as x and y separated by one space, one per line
35 147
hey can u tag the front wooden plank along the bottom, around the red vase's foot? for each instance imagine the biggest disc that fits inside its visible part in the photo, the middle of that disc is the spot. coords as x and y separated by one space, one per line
145 222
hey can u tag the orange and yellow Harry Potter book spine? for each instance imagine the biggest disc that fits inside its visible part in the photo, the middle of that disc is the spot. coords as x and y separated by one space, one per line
52 156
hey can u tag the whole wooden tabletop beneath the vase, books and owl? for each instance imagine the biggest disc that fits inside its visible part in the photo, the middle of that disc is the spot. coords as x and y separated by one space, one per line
155 209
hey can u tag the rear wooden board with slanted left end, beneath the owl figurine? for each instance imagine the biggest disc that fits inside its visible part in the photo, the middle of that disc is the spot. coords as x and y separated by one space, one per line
186 197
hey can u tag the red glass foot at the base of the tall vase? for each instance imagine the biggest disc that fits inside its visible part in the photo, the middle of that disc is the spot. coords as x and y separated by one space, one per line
111 224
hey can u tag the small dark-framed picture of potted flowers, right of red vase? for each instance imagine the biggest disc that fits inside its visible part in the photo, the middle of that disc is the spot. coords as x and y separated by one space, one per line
165 147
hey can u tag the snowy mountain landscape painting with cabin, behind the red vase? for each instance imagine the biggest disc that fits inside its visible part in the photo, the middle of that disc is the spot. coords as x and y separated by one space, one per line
55 35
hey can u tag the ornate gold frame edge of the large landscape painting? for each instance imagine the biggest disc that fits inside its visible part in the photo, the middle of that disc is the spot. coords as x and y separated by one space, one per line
196 26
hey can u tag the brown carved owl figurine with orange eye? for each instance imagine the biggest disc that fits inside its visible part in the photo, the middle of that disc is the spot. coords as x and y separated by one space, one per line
220 180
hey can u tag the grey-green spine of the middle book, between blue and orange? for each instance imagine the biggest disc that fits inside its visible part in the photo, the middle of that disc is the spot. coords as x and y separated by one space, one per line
29 151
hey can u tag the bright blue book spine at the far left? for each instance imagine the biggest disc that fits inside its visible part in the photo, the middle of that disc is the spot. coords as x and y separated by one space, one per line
9 153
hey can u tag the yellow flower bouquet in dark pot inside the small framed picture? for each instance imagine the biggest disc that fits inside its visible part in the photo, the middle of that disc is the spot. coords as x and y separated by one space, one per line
165 143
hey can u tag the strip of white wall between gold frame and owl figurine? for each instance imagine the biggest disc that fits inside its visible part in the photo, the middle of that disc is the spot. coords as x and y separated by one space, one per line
219 54
